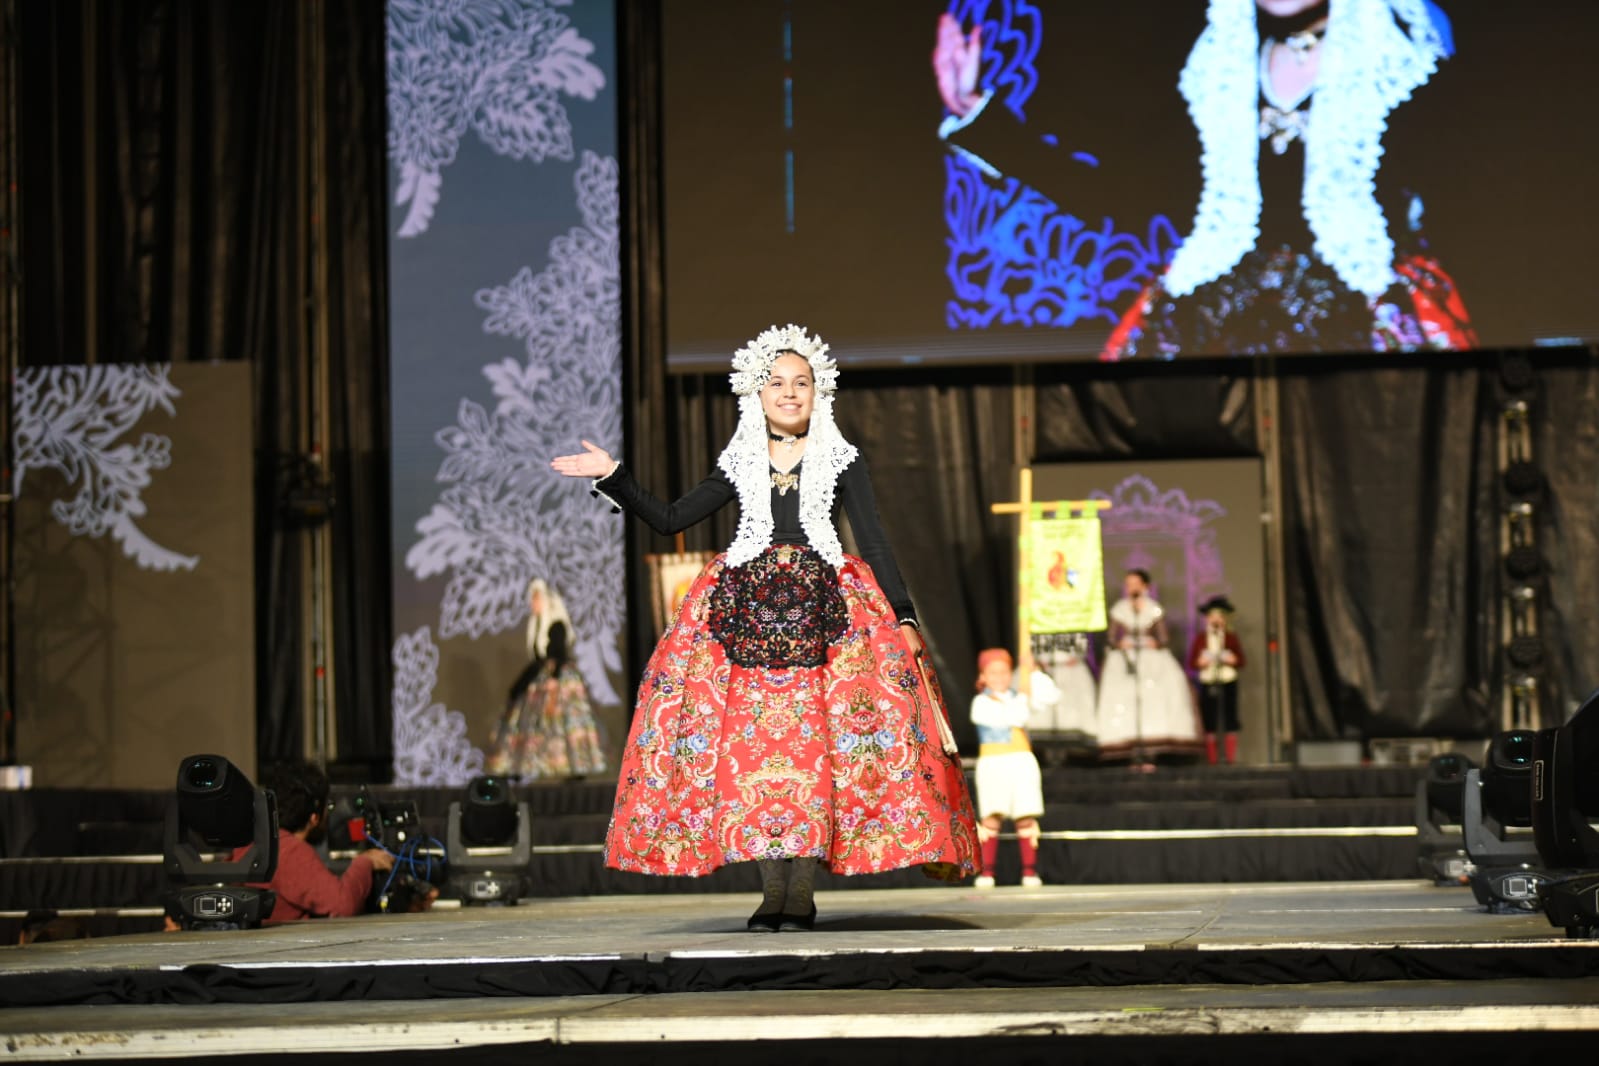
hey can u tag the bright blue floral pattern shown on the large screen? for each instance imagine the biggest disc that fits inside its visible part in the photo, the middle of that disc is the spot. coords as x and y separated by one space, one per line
1018 258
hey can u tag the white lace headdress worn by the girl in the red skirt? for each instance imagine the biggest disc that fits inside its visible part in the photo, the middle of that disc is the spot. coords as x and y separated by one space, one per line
748 461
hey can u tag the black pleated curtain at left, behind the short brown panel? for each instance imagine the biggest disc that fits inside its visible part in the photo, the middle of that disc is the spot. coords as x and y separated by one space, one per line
169 183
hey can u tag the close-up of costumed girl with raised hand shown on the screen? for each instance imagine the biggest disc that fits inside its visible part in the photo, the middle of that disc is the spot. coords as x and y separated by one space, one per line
1302 241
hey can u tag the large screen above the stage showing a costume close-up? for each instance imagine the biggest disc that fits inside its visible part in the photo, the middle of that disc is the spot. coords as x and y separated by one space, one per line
1128 181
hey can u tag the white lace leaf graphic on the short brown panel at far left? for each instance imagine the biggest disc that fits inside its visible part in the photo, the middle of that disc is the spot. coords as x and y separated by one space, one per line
74 420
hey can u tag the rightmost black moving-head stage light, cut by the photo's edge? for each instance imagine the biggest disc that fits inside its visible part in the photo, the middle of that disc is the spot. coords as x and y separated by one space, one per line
1565 808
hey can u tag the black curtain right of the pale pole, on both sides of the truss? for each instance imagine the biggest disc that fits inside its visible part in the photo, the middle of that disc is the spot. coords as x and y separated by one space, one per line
1395 570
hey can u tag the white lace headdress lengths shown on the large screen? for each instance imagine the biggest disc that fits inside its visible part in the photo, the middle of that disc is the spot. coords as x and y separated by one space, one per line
1368 68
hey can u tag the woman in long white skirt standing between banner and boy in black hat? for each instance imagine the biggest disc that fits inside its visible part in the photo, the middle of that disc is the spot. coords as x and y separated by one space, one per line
1146 706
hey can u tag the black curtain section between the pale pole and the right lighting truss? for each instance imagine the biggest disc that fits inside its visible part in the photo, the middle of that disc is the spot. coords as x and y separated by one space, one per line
1392 552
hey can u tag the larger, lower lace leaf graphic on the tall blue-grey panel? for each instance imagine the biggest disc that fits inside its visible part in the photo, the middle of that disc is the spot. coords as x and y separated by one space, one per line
504 515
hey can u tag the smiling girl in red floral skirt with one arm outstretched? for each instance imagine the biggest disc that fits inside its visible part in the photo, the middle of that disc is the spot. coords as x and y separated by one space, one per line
784 717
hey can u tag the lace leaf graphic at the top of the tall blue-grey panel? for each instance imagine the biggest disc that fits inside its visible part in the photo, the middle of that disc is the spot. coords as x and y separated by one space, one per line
495 68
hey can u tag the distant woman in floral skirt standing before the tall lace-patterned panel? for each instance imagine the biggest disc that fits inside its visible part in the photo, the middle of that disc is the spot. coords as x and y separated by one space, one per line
549 730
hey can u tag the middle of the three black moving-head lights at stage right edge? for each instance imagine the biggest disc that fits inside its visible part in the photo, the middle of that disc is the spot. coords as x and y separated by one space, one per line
1507 870
